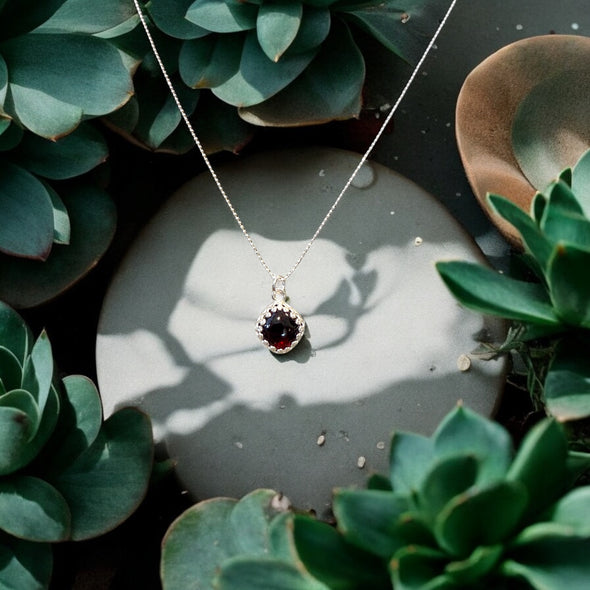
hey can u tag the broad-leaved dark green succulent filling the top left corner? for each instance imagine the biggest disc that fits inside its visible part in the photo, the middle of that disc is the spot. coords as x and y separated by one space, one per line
56 72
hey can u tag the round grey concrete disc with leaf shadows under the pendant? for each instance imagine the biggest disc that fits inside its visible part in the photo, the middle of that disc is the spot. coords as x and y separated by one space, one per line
385 341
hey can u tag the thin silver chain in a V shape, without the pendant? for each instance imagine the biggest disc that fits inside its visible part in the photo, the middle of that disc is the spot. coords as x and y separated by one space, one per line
362 161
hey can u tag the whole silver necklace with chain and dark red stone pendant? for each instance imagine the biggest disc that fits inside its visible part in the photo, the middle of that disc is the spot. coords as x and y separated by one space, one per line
280 327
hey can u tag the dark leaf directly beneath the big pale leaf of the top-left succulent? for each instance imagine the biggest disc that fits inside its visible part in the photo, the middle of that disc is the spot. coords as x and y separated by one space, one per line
73 155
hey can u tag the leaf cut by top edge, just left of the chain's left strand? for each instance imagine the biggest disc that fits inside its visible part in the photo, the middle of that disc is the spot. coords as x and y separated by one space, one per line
87 16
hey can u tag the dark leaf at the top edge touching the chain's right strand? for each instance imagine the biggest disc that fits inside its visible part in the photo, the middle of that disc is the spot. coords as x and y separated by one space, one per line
403 27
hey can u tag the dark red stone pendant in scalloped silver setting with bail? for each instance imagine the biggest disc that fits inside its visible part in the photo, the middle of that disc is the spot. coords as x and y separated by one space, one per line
279 326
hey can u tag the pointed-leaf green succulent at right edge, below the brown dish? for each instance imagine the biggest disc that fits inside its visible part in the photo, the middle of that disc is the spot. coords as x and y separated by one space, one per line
552 311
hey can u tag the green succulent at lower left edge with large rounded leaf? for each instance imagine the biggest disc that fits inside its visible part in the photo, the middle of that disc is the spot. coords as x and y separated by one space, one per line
64 473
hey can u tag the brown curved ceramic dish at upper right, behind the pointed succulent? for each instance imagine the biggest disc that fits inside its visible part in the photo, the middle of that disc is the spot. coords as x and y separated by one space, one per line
489 102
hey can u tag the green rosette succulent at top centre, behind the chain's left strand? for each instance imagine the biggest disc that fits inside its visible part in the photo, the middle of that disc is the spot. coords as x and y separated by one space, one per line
270 62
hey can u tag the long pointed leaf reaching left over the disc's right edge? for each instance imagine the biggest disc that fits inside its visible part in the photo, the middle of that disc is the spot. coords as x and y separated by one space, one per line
490 292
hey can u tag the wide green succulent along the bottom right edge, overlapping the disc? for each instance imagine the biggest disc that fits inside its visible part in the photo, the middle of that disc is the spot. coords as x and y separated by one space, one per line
458 511
